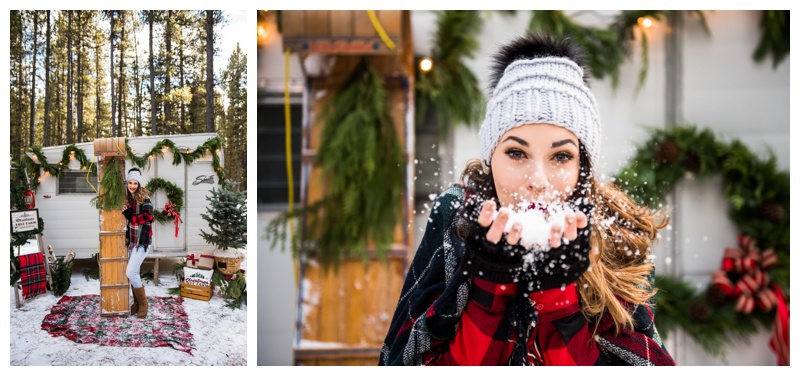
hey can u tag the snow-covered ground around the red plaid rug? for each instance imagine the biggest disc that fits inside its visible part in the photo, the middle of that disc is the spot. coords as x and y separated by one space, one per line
220 333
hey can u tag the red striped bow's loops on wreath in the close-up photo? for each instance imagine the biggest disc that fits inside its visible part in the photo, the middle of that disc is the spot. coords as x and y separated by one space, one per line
749 264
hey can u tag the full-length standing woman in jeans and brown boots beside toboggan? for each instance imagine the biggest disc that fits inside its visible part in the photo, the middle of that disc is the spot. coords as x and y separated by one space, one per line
138 210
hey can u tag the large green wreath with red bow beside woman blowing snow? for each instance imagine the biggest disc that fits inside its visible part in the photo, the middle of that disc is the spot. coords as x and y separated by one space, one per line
750 291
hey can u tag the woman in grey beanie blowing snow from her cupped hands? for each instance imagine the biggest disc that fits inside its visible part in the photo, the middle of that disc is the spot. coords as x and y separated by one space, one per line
474 295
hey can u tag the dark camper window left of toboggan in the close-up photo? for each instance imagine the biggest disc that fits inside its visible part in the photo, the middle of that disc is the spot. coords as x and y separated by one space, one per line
273 187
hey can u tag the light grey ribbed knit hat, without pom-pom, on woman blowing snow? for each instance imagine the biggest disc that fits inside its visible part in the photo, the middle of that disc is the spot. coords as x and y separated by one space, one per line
547 90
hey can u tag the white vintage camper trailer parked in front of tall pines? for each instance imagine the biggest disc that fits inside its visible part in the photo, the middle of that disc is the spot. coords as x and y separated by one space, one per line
72 222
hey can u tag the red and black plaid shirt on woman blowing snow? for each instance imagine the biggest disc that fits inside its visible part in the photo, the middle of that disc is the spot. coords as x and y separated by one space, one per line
562 335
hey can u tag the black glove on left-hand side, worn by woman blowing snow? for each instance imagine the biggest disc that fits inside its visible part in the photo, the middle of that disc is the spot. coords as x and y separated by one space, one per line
499 263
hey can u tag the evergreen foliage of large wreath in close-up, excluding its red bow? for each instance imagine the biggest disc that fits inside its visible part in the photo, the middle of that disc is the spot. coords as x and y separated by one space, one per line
758 194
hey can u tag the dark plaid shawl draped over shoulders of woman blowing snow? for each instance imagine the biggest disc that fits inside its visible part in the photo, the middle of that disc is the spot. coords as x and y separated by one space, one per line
436 292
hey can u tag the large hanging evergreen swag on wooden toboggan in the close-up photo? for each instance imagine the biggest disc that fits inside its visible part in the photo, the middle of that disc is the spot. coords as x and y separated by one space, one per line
363 167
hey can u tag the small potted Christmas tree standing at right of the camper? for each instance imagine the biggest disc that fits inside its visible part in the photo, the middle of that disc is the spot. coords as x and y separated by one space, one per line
227 219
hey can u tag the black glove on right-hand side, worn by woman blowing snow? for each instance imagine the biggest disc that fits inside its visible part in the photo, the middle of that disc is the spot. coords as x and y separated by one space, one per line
563 265
